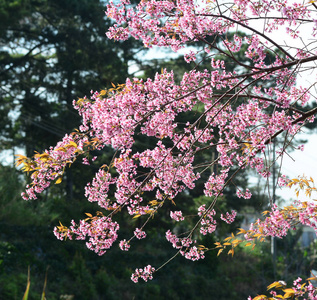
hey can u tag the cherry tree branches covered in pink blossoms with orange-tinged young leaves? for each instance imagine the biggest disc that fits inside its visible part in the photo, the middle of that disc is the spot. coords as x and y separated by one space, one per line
239 114
